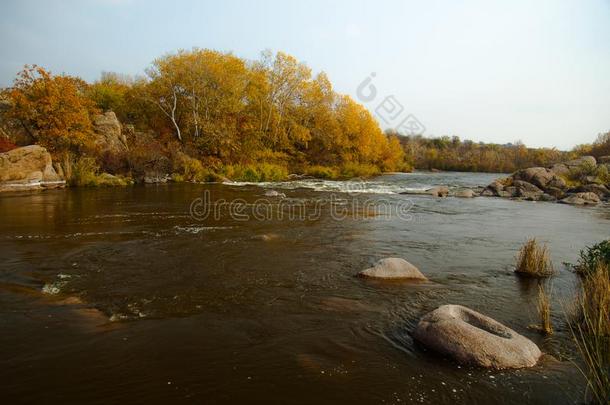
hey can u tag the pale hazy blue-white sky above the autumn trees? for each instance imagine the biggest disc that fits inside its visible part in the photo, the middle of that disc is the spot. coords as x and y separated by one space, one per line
495 71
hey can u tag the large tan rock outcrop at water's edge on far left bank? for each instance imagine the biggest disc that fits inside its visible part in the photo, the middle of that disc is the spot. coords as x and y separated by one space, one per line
28 168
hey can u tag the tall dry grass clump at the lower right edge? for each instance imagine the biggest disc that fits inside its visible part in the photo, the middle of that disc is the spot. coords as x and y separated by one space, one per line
591 331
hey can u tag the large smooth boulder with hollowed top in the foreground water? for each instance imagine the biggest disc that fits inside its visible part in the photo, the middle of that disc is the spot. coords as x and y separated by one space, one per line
473 338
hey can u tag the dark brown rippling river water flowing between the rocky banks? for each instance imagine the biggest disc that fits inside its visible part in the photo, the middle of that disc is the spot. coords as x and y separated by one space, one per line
138 295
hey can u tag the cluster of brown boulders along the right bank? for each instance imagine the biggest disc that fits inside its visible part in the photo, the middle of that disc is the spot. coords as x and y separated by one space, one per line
549 184
